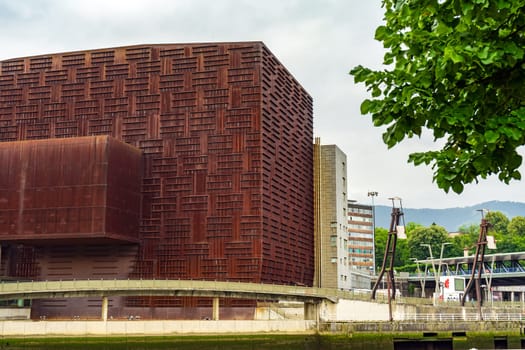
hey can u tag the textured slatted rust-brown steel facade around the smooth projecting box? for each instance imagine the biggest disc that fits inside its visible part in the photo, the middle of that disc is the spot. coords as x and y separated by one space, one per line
226 139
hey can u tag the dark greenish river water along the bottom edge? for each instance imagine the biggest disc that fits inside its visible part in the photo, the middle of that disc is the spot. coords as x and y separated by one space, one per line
260 342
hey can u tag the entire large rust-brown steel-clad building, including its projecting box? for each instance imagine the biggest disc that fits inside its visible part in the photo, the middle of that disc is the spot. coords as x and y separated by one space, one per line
178 161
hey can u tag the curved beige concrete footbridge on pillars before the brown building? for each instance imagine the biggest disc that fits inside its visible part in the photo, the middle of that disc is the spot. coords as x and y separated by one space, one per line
311 297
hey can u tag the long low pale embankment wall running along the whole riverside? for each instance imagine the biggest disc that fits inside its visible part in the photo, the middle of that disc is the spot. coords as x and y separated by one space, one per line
75 328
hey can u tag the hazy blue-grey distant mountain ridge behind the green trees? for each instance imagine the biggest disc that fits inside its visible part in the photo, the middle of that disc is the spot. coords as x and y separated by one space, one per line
451 218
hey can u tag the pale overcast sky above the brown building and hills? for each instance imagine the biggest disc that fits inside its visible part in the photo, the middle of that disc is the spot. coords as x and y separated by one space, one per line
318 41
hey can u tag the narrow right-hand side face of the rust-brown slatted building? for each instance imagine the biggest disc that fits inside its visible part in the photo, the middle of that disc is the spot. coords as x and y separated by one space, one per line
287 128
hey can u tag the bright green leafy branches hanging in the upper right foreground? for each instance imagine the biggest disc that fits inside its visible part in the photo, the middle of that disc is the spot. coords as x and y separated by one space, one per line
456 68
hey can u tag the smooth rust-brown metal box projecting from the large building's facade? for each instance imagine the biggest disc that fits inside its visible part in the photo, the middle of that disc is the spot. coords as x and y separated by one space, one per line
59 188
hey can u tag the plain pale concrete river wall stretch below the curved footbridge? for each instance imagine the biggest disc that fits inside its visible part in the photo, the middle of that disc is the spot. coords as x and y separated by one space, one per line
101 328
